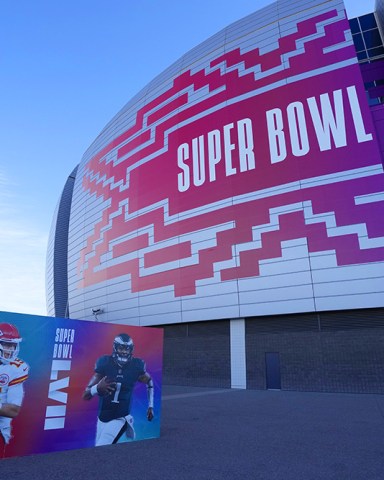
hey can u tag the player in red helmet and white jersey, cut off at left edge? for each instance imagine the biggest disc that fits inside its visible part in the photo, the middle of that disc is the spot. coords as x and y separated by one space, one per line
13 373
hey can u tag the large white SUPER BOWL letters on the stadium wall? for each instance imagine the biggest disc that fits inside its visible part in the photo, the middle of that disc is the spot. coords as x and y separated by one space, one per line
327 114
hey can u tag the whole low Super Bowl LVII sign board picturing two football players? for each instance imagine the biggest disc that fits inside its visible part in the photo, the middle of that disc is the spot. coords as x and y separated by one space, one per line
61 355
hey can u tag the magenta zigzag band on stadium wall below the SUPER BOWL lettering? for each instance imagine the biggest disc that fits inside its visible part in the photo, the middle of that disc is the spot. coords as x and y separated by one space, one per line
255 236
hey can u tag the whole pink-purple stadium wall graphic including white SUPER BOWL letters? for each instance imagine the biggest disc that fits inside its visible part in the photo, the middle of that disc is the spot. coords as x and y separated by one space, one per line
259 148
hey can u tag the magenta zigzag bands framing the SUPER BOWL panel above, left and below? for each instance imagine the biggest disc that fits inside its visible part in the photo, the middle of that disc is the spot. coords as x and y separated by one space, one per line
139 239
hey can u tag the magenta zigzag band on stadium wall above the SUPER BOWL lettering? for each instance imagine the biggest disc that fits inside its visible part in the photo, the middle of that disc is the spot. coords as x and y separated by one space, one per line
228 80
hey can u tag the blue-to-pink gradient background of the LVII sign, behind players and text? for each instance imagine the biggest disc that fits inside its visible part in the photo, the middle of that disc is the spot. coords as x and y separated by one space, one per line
91 340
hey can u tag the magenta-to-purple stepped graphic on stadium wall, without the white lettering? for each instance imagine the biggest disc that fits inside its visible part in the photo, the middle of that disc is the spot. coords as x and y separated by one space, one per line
151 187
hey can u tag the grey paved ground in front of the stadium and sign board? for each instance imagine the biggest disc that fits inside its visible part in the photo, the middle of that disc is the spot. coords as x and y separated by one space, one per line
235 434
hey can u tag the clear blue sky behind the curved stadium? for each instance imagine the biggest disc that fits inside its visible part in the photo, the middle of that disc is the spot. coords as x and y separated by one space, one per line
66 69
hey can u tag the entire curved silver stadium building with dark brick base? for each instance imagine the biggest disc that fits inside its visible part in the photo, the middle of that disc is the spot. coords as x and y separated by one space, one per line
238 202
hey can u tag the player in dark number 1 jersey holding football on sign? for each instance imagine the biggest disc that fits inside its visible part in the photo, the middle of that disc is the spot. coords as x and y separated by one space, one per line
113 382
